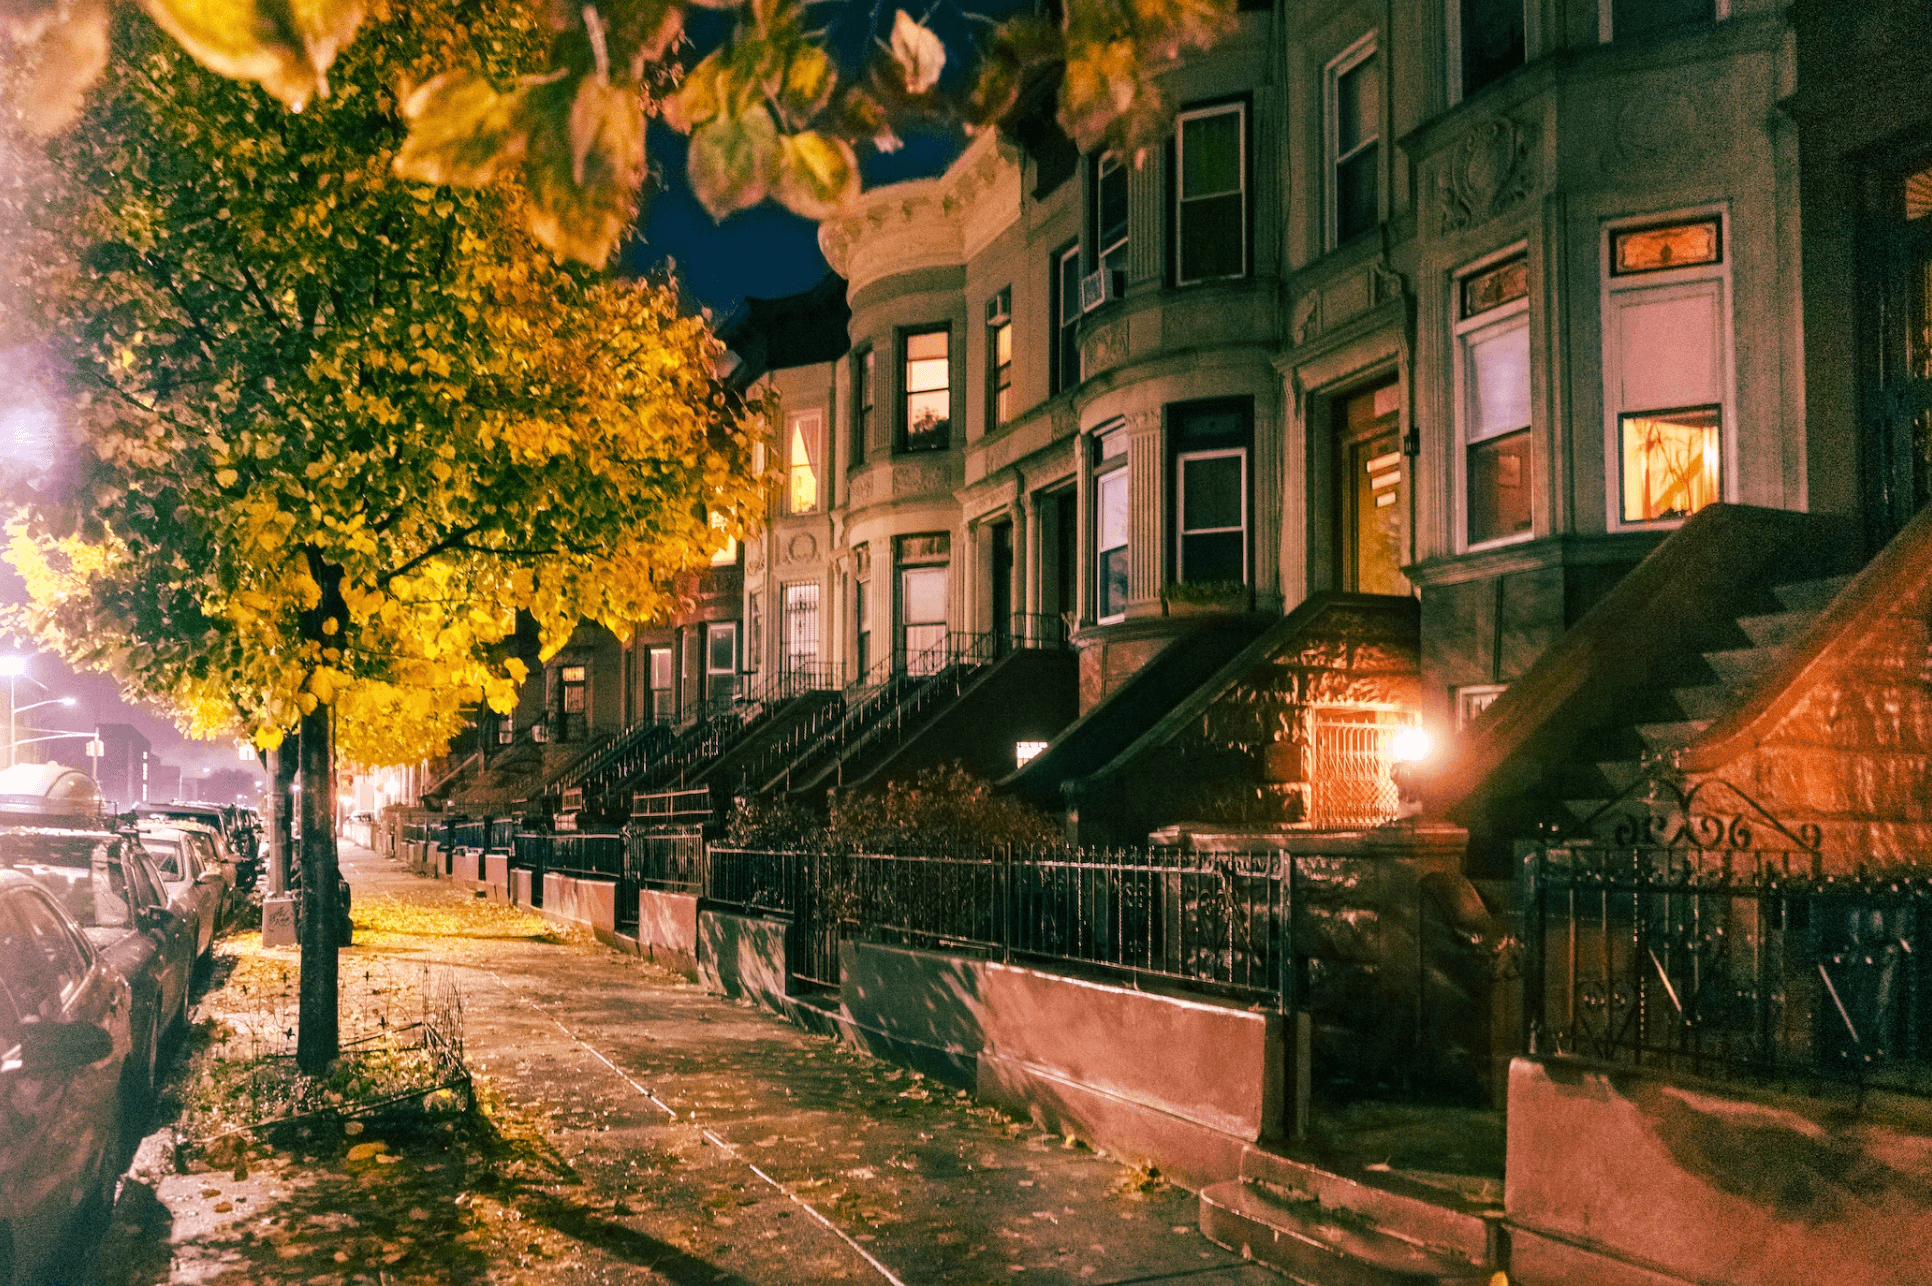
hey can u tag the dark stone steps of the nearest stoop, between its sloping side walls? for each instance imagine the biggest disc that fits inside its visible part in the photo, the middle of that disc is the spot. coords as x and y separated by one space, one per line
1664 717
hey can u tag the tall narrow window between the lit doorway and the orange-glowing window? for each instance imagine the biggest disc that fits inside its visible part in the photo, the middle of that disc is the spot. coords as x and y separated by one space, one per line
1494 383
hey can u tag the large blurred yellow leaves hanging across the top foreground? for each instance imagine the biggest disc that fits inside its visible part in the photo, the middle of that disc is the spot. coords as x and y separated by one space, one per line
770 115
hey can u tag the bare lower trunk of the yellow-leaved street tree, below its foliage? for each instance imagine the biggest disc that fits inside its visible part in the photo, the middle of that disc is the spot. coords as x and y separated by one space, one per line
316 1034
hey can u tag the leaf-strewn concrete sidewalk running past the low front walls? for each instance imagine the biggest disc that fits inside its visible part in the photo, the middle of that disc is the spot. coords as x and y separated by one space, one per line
689 1140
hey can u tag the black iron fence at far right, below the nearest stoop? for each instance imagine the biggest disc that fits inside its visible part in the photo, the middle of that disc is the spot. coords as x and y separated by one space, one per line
1730 964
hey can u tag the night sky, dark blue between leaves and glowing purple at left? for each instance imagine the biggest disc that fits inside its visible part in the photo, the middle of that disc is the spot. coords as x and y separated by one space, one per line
762 254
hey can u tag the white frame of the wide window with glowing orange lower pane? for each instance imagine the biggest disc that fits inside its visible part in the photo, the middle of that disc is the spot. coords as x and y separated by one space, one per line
1697 275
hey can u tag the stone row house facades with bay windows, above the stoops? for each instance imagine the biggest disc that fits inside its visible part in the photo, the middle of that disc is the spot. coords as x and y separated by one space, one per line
1465 302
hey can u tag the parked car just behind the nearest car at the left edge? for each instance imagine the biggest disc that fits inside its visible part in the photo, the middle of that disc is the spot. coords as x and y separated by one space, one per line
105 883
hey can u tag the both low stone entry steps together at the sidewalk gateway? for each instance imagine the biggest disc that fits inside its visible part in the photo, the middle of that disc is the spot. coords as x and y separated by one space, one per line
1334 1231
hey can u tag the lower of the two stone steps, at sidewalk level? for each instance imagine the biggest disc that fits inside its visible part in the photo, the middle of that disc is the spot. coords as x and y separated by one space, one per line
1317 1244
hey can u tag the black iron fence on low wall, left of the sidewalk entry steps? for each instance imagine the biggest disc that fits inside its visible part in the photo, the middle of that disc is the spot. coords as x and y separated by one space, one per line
1214 922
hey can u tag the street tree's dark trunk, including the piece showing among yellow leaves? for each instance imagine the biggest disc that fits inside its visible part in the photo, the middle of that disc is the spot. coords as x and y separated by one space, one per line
318 1036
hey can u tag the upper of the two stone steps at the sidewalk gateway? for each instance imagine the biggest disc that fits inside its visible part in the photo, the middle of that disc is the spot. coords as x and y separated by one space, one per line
1396 1206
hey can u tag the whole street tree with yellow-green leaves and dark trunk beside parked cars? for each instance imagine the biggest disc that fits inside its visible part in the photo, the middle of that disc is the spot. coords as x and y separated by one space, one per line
333 433
